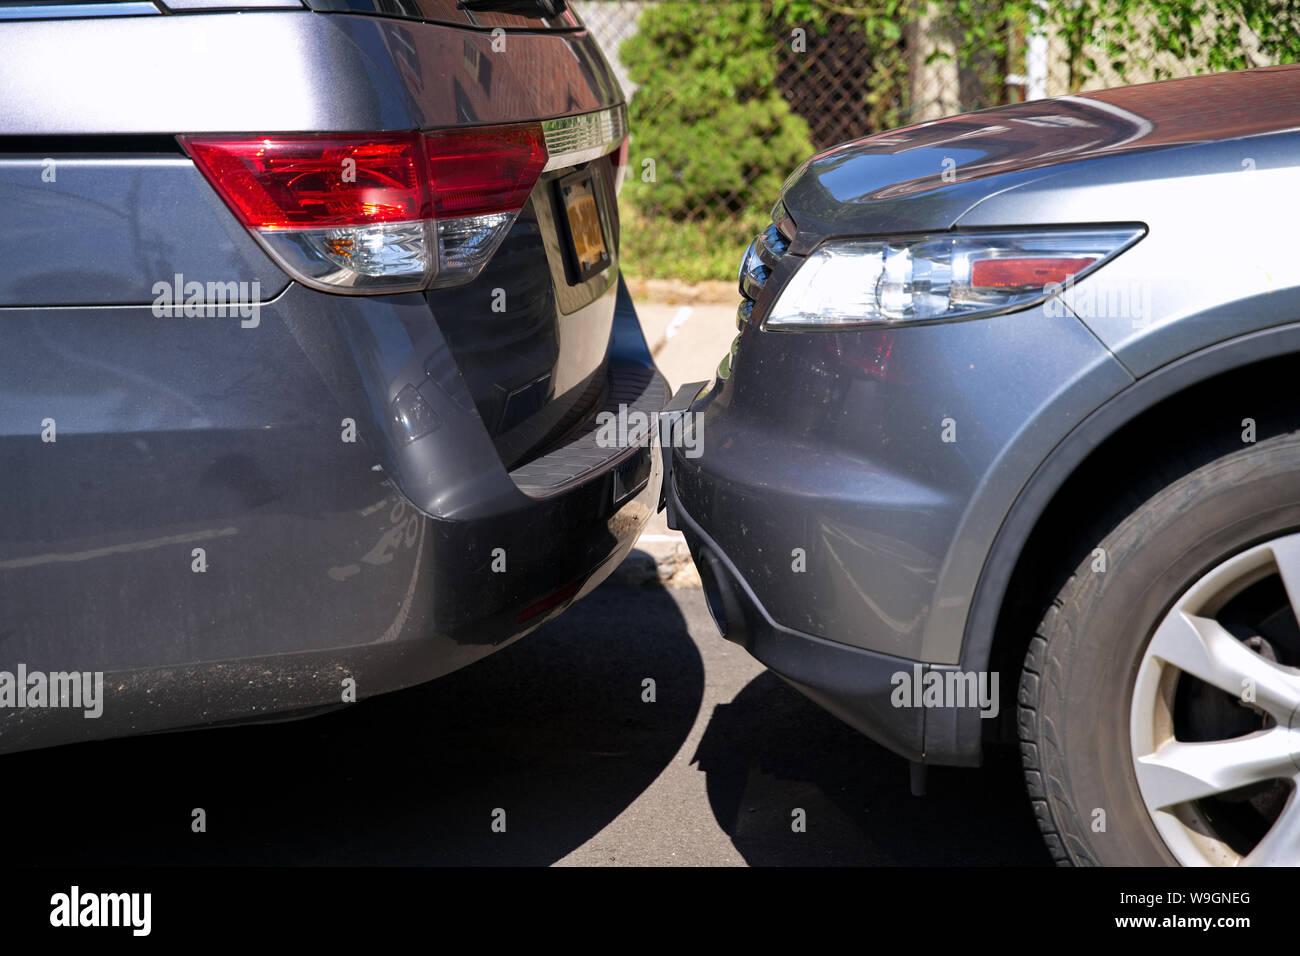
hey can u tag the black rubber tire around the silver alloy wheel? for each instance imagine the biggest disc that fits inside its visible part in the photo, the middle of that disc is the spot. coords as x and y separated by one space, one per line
1078 678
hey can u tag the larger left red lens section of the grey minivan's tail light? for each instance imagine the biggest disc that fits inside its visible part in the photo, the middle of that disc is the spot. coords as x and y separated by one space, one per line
317 181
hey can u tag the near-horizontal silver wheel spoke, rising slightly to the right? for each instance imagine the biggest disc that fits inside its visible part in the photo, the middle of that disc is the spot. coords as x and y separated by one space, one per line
1180 772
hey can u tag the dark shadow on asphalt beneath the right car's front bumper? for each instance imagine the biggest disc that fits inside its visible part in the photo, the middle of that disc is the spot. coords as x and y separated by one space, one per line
772 752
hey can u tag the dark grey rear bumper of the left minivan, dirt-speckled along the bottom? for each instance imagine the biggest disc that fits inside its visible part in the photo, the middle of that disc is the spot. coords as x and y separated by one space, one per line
383 561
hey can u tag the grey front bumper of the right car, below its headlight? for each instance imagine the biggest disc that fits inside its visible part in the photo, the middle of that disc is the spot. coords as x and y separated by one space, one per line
848 491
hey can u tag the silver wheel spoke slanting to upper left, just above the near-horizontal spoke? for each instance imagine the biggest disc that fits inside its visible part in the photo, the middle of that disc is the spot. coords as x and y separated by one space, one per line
1206 650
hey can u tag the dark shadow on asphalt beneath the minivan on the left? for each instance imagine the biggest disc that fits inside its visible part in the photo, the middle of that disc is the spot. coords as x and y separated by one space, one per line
551 730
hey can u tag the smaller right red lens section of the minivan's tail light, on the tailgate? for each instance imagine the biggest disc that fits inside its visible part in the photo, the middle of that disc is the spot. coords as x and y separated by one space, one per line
486 170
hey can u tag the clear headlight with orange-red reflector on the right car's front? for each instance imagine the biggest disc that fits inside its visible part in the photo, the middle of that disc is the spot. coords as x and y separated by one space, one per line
941 278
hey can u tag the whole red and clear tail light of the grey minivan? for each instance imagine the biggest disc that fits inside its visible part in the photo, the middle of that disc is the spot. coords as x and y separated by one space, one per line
378 213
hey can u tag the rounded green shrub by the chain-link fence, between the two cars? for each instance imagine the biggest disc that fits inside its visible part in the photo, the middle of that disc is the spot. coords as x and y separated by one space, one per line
713 140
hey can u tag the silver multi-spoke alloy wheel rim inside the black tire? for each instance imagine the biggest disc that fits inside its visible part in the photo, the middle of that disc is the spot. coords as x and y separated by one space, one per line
1175 775
